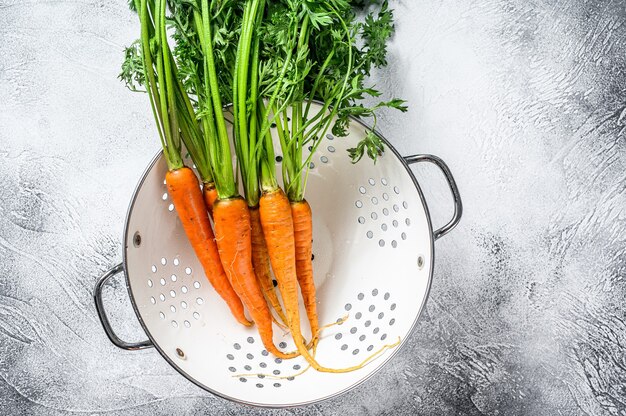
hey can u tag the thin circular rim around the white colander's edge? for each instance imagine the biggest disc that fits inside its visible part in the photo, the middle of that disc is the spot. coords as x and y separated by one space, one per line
380 365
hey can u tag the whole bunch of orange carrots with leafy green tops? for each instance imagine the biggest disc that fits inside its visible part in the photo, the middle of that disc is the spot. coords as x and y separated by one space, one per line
265 57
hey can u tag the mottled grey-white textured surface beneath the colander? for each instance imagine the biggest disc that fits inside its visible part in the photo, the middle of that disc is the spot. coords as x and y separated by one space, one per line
525 100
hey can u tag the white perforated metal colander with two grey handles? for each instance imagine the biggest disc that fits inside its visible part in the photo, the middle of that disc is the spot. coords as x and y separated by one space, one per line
373 260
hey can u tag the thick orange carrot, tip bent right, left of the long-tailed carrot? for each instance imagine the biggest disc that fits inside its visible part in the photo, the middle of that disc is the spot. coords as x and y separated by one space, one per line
234 241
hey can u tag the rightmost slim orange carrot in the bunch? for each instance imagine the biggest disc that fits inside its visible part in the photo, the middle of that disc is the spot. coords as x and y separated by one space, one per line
303 240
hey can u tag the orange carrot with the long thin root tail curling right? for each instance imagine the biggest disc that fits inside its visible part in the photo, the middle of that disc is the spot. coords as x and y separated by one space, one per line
278 229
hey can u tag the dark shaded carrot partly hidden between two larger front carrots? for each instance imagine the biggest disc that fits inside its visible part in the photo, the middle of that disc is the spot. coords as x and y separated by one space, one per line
261 264
